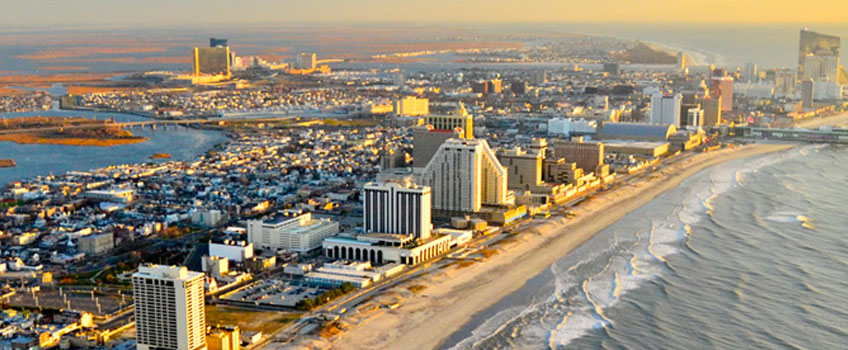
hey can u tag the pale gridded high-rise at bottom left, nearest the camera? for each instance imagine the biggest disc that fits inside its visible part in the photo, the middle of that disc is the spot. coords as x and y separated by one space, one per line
169 308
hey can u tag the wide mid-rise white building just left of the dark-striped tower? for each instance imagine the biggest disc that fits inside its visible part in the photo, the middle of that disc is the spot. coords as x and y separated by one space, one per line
300 233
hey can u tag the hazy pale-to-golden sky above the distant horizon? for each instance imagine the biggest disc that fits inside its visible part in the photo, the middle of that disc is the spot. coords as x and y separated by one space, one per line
157 13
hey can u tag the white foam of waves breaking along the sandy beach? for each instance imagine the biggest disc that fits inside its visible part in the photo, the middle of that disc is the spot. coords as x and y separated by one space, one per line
579 302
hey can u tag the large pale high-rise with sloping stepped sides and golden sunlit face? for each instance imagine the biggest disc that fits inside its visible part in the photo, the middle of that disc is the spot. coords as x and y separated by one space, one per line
464 175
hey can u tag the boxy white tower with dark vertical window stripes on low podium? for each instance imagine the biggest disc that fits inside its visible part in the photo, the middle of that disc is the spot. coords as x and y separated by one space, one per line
397 208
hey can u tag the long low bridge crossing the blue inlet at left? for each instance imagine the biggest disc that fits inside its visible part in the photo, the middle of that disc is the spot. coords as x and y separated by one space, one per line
153 123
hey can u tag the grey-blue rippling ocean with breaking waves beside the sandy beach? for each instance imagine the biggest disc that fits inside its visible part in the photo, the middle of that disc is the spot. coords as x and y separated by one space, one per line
749 254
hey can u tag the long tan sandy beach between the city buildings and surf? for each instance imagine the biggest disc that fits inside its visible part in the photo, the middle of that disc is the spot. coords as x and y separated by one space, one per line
475 288
